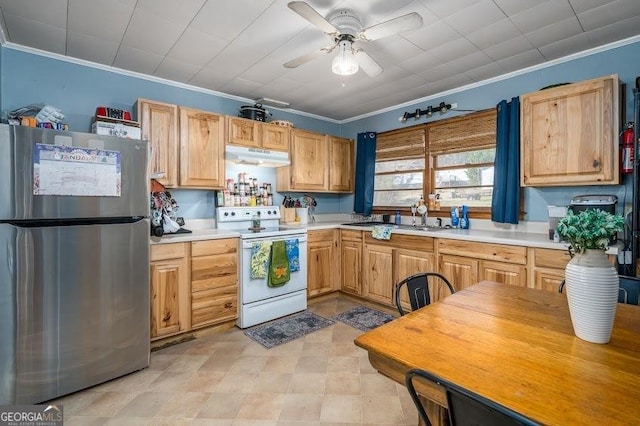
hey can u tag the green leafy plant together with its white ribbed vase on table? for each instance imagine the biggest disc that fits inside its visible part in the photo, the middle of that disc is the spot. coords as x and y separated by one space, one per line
591 281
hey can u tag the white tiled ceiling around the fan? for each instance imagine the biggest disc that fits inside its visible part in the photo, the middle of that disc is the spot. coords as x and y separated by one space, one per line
238 47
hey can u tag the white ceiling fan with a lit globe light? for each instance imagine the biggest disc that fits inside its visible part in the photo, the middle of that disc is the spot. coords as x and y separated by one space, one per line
345 28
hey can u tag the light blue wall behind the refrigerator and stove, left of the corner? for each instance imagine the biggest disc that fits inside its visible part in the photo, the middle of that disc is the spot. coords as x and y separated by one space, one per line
27 78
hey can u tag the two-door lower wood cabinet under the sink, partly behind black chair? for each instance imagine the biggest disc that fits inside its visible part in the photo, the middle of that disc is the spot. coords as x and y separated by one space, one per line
385 262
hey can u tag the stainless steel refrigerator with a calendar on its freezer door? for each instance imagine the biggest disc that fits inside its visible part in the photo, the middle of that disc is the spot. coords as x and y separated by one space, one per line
74 261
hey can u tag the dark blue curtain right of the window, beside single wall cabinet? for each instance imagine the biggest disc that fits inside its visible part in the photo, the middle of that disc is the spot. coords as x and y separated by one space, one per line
505 205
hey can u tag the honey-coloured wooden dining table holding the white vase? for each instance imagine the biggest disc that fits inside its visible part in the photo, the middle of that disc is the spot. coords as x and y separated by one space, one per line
516 346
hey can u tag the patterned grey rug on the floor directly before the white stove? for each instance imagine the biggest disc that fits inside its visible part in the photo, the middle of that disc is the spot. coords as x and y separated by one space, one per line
286 329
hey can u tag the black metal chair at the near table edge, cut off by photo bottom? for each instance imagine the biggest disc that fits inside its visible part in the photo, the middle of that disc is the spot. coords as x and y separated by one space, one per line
466 408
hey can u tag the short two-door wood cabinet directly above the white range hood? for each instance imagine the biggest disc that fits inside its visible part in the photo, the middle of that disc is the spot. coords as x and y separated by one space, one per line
256 134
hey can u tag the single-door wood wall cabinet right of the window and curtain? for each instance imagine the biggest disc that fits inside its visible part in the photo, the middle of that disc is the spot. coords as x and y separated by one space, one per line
569 134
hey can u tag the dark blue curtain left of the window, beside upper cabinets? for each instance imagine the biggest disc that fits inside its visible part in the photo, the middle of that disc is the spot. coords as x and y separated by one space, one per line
365 172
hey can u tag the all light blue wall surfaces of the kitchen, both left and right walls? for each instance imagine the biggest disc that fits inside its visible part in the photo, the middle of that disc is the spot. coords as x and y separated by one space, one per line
27 78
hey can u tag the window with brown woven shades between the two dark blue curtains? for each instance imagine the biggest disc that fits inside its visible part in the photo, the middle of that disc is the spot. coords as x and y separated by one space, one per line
452 157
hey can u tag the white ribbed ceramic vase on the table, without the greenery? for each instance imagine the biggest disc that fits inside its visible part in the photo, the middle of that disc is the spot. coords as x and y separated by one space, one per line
591 284
